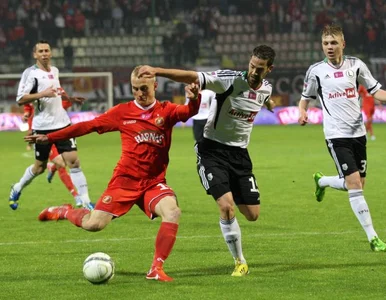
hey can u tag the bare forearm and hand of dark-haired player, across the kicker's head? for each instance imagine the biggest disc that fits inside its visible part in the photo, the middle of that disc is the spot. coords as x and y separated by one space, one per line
173 74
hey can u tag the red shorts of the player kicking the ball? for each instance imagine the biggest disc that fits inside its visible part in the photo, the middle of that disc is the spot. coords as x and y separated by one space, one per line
118 201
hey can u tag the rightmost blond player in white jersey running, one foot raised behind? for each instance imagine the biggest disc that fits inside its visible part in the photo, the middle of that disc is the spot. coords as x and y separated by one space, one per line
335 82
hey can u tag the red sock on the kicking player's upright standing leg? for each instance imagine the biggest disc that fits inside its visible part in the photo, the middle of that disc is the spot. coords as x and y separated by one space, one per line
164 242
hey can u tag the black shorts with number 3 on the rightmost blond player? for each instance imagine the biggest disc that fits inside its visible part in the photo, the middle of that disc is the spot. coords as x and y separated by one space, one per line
349 155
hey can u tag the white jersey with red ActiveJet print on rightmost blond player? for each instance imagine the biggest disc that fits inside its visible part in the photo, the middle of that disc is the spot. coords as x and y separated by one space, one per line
337 90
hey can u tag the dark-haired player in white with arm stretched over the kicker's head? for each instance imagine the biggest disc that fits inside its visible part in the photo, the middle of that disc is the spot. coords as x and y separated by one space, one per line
224 165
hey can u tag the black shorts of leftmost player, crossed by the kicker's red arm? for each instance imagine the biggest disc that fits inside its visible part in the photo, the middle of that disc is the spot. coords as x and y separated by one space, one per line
42 152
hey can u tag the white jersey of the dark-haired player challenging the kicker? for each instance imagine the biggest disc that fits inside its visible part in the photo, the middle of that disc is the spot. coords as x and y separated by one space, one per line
234 108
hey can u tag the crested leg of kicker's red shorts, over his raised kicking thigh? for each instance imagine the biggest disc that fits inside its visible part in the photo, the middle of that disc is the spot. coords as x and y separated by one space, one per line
117 202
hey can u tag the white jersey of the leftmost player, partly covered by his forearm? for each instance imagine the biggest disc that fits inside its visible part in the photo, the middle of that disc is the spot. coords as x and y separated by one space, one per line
49 113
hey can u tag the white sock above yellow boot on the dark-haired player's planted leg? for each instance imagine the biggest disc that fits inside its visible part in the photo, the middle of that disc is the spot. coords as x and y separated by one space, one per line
232 234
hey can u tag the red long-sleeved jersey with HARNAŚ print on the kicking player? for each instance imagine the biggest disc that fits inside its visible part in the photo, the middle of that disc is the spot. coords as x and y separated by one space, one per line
145 135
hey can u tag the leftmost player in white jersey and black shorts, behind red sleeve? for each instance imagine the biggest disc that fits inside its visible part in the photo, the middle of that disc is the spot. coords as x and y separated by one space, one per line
40 85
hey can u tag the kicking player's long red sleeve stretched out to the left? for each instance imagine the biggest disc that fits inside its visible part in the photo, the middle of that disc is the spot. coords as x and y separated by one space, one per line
107 122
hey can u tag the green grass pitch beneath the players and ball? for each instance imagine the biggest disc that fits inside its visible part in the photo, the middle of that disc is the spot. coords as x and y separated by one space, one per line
298 249
